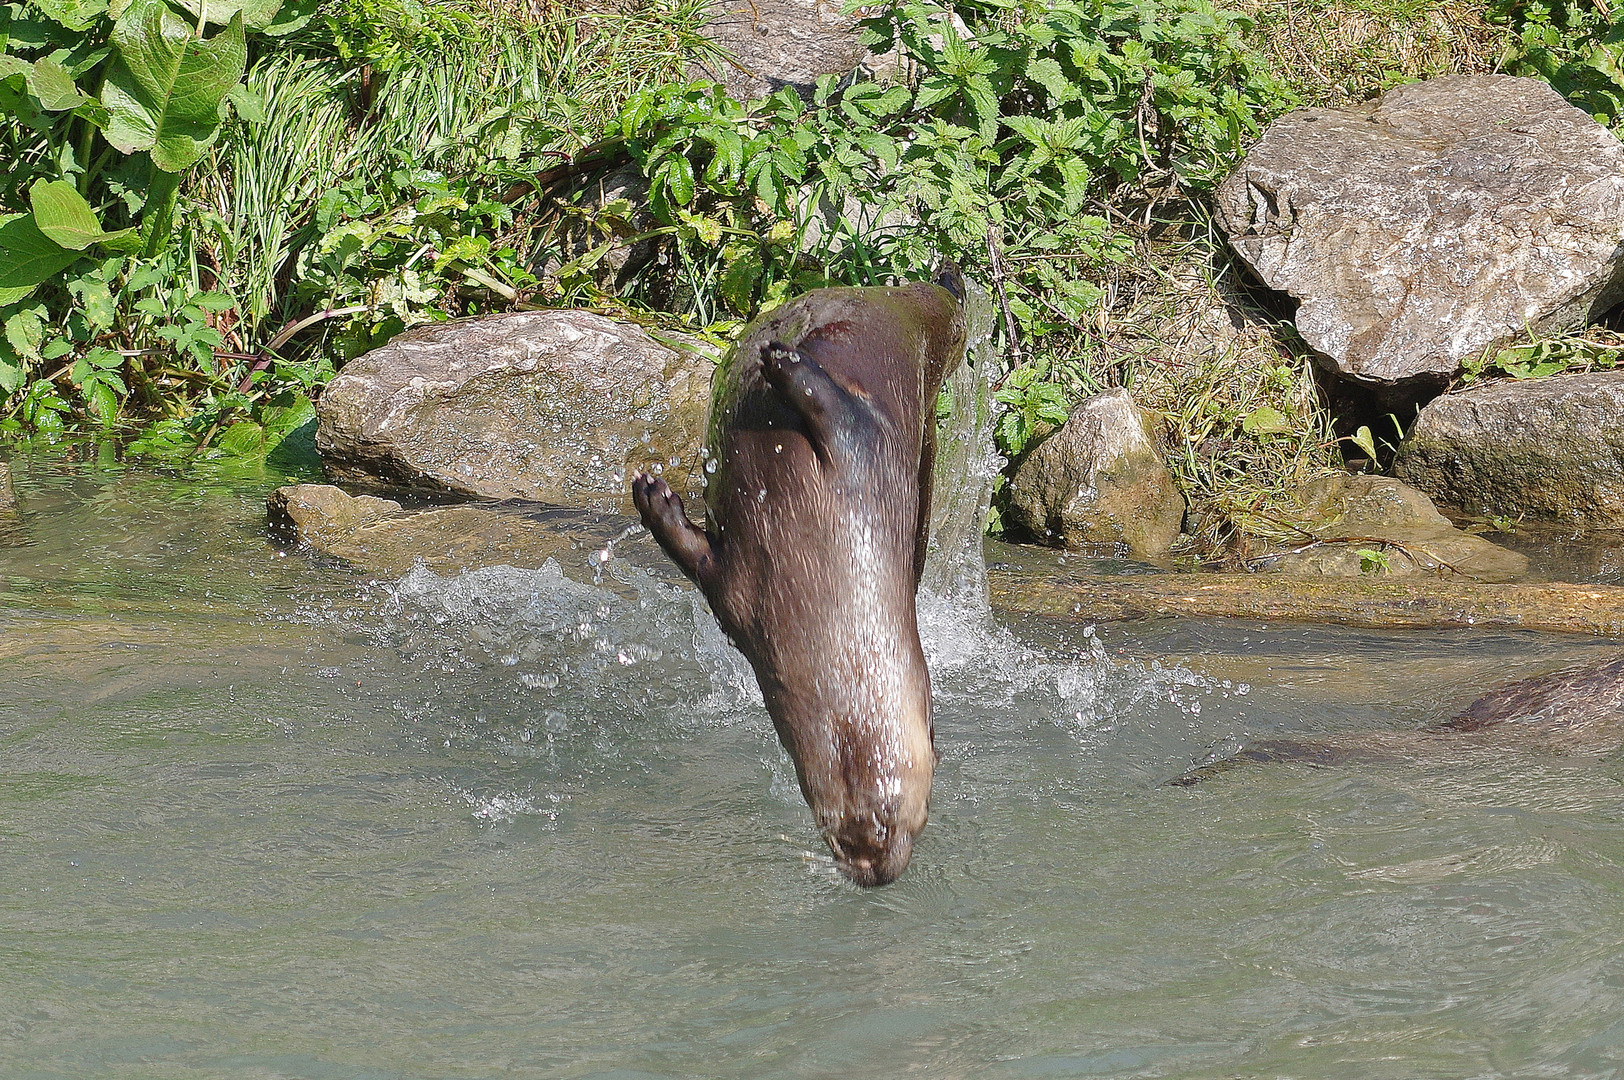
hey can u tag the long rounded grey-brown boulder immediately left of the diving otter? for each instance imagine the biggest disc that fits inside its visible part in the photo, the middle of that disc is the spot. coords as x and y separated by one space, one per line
551 407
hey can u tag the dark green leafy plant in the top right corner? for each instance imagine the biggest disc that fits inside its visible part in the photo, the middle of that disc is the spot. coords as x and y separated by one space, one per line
1578 46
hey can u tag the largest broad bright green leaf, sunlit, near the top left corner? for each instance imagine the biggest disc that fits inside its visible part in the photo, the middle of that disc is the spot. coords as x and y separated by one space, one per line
165 89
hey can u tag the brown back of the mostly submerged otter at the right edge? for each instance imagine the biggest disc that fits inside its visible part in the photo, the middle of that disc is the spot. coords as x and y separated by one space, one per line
1576 711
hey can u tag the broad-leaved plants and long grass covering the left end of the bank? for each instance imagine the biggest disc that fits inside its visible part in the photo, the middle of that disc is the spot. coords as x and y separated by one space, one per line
192 235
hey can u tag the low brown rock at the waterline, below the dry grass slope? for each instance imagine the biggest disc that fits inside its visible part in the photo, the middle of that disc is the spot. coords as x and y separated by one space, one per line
1378 514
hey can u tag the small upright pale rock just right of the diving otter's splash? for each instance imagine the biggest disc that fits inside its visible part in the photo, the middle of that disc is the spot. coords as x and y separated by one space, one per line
1100 480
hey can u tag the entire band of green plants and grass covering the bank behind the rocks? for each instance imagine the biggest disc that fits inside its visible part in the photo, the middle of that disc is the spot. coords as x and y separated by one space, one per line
215 204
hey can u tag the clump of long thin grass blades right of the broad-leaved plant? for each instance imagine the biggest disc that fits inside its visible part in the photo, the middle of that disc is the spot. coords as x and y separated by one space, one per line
483 100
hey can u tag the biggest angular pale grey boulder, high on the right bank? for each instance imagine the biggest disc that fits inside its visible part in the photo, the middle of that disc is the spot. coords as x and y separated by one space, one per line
1443 220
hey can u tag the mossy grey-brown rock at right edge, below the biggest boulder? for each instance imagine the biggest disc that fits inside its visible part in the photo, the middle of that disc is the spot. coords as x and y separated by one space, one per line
1542 447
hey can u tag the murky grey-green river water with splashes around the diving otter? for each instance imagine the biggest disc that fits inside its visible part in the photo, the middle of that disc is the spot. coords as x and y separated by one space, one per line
262 818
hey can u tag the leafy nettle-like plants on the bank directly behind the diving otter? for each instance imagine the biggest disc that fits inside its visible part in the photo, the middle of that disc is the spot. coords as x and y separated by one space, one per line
1029 127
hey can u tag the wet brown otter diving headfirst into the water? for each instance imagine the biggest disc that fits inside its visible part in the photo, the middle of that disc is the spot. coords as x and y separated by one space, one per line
824 430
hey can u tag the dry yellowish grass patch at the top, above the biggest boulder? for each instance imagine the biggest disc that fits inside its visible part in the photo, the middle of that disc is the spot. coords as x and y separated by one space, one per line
1336 53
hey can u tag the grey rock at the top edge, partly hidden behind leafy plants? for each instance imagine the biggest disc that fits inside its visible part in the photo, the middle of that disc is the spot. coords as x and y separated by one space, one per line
782 43
